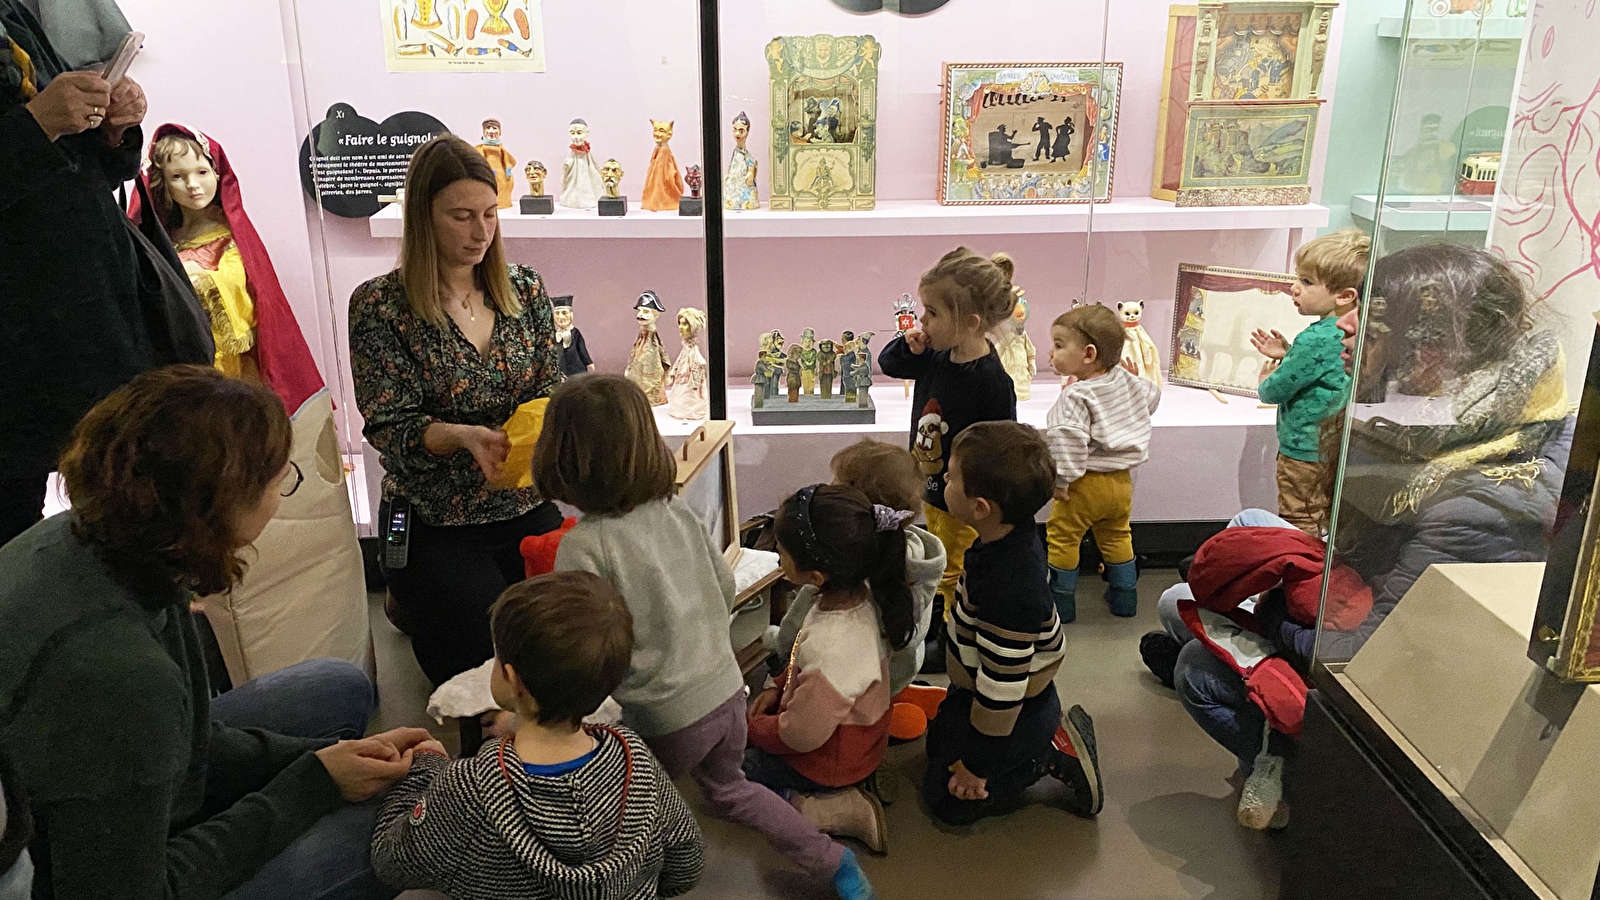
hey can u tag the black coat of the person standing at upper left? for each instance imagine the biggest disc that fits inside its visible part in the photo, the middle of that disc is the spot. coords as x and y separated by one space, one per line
71 329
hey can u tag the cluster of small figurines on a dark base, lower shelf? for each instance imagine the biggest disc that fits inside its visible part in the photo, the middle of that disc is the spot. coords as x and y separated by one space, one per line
807 366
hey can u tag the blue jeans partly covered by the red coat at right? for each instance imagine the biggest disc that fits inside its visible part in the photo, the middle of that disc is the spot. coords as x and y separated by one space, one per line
1212 693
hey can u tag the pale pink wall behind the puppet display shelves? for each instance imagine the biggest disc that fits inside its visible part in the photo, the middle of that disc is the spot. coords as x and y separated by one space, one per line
258 92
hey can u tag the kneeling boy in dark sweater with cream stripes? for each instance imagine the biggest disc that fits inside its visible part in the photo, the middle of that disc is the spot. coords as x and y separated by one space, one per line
1001 728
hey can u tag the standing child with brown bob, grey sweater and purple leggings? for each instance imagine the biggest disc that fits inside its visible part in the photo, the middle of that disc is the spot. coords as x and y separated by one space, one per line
684 693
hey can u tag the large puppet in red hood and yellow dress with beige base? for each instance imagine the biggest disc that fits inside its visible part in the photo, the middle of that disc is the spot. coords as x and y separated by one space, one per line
305 595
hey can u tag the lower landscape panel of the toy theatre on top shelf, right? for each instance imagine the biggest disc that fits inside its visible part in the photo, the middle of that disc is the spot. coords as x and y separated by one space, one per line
1249 155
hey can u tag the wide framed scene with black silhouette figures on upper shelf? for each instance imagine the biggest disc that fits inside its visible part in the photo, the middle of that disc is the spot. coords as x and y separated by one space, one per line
1030 132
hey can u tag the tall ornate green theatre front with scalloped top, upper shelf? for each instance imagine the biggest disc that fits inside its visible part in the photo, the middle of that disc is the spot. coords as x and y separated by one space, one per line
825 102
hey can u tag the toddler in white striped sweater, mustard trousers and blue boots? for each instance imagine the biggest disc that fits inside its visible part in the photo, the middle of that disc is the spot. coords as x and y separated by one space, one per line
1098 432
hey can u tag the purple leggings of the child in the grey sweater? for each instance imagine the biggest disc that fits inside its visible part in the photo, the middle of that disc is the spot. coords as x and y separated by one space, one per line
713 752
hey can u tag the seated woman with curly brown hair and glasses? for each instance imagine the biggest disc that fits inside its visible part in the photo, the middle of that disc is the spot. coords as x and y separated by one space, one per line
140 785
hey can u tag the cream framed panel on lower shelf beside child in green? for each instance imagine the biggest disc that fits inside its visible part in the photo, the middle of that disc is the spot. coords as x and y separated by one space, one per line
1212 323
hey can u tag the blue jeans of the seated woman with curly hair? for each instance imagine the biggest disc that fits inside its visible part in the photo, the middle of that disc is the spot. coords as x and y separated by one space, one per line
334 859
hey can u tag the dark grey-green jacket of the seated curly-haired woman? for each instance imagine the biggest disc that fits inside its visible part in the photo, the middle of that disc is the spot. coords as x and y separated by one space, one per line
137 794
